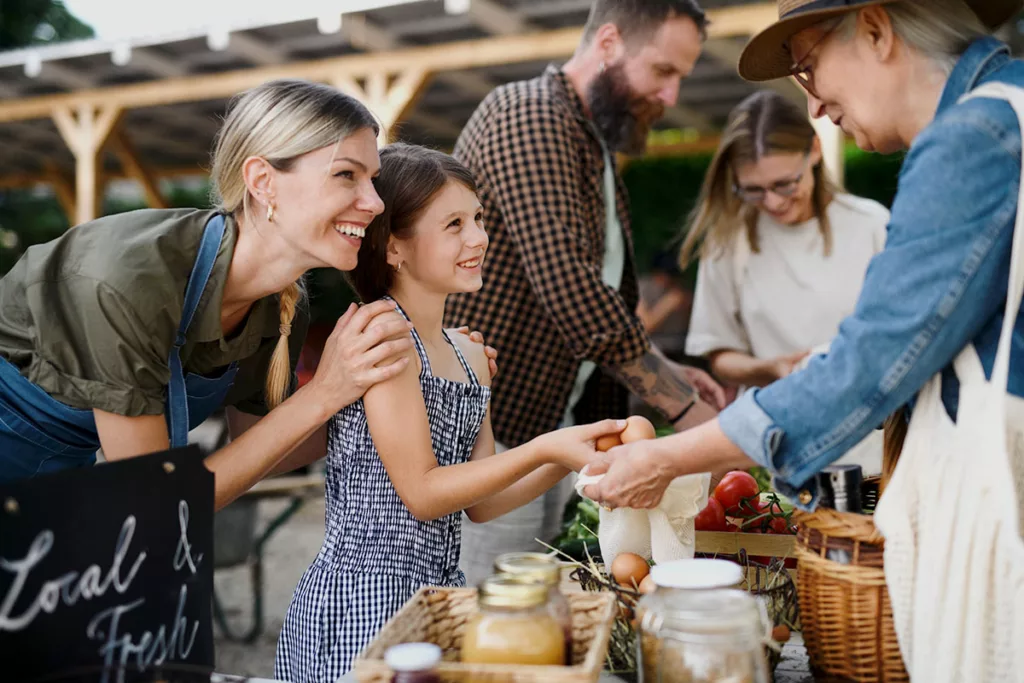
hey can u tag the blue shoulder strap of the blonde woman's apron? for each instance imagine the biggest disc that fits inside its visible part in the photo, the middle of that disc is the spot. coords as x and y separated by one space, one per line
178 403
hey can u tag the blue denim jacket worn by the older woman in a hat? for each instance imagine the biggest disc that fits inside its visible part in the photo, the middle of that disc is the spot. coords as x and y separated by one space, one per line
940 285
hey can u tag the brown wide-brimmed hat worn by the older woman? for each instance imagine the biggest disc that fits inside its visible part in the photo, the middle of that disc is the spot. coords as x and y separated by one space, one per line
767 57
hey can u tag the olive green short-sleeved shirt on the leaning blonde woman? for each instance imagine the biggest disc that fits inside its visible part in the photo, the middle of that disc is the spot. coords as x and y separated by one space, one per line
91 318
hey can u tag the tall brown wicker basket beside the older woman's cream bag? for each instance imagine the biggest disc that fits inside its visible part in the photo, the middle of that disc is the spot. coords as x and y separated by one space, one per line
845 612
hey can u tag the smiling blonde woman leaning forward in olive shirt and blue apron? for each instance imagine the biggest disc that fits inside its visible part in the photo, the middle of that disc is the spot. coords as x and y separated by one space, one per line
131 330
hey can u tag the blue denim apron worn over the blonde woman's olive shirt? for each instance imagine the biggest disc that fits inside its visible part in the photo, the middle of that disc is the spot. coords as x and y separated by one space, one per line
39 435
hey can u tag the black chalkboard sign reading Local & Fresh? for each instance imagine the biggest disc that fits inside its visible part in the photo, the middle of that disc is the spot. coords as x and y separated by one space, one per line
107 574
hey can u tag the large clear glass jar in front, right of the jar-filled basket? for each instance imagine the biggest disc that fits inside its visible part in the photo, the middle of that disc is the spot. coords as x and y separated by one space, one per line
703 636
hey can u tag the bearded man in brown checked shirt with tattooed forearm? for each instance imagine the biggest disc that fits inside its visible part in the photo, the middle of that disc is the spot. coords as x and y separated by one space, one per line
560 295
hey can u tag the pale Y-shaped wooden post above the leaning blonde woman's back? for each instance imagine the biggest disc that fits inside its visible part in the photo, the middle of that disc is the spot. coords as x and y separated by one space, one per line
86 131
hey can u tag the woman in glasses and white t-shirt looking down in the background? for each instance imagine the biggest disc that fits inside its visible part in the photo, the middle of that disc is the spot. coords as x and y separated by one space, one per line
784 251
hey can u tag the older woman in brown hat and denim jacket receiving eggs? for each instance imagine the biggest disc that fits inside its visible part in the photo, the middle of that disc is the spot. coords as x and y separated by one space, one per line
936 329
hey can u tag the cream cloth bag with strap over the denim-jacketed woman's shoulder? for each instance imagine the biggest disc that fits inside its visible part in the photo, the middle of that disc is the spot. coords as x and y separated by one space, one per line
952 515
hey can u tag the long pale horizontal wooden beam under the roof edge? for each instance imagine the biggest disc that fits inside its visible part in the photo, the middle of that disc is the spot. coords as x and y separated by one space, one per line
450 57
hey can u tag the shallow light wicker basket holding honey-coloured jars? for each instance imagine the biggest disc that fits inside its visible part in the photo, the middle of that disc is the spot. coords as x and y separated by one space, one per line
440 616
